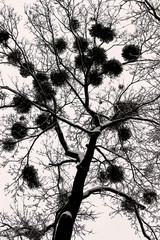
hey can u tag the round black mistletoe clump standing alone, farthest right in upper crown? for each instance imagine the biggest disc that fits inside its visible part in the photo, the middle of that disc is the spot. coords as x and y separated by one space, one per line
131 52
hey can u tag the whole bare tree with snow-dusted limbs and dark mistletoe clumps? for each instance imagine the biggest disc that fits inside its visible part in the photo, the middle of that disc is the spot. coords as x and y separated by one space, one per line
81 114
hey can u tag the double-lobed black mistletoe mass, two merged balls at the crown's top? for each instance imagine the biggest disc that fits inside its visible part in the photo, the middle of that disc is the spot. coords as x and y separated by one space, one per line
105 34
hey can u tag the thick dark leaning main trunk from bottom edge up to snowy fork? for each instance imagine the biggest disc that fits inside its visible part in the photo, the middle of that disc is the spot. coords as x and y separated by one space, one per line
66 219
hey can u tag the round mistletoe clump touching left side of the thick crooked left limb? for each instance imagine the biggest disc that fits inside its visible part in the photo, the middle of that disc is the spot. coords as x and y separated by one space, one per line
43 121
